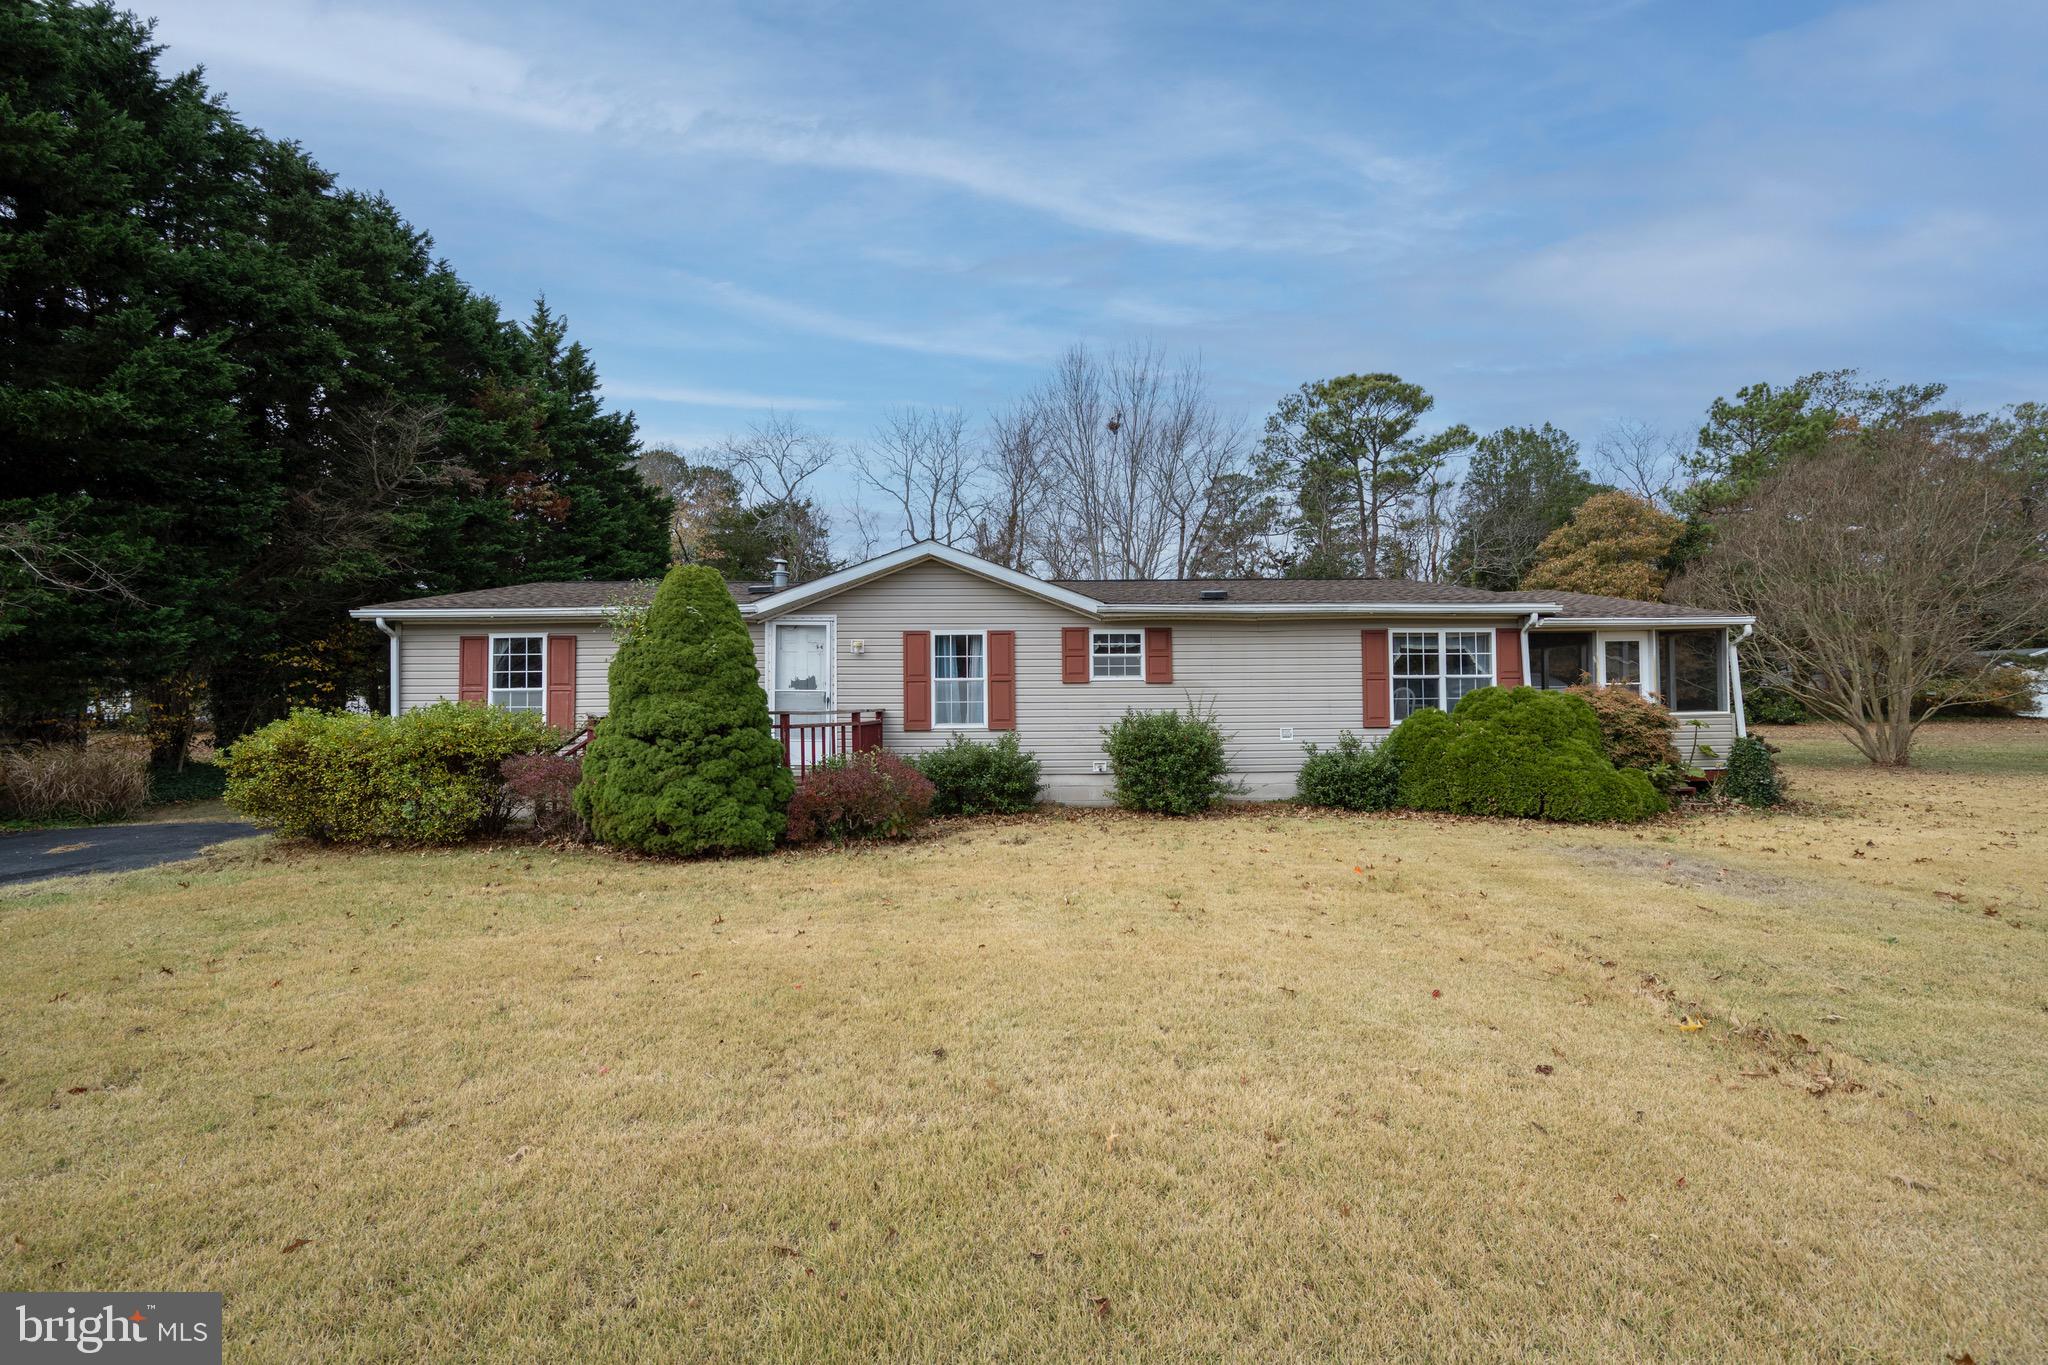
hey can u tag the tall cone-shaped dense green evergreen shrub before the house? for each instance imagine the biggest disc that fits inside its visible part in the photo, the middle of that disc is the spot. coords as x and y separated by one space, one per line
687 762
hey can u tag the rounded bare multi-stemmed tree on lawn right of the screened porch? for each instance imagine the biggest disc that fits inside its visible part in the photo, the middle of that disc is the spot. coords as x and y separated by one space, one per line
1879 572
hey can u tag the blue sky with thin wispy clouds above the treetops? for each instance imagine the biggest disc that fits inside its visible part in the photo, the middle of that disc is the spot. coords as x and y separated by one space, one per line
1578 212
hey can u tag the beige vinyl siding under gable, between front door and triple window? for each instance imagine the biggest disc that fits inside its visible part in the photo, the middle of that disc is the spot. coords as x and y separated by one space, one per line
1258 674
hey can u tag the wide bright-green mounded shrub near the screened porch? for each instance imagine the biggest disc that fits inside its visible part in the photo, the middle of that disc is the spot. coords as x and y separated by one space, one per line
1517 752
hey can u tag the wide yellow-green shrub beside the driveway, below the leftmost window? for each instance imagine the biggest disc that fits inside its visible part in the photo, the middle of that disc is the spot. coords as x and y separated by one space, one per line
427 777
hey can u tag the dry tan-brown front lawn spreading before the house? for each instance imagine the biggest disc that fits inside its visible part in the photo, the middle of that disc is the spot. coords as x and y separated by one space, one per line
1269 1086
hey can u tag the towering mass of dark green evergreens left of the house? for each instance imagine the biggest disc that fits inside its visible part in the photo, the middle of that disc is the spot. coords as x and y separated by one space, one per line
255 400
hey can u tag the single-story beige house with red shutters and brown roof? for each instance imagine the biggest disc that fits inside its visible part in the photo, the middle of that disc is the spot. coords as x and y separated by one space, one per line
929 642
